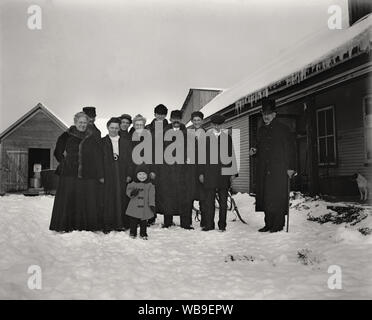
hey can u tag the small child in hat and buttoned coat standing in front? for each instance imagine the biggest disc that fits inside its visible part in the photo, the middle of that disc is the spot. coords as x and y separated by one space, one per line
142 202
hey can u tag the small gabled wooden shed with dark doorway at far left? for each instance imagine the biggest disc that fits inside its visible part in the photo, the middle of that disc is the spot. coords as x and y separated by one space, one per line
30 140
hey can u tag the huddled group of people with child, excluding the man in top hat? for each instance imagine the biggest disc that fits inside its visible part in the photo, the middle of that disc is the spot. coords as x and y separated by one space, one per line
102 188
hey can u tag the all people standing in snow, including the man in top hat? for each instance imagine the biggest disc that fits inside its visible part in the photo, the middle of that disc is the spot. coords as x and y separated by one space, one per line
104 187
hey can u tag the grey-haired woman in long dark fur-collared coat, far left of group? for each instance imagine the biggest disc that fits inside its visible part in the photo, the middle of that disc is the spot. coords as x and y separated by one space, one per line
76 205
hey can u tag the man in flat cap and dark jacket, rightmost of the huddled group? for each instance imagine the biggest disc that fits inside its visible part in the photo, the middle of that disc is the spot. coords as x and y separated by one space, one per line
213 177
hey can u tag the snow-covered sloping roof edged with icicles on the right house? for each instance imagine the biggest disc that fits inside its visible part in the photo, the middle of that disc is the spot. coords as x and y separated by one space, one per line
321 52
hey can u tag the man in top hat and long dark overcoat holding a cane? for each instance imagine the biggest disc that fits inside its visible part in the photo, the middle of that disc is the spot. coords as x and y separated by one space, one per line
275 154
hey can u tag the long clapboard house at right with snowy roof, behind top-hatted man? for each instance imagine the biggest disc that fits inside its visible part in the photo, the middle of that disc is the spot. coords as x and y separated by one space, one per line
323 93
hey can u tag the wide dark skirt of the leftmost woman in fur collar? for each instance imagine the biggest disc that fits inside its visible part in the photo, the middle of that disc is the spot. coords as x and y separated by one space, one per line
77 205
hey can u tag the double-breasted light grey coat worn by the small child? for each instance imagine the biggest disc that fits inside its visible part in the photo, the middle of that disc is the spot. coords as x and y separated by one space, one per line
139 206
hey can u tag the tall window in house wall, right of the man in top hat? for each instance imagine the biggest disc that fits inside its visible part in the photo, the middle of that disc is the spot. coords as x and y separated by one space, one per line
326 136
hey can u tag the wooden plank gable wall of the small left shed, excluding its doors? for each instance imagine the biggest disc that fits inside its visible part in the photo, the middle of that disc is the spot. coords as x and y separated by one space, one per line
37 132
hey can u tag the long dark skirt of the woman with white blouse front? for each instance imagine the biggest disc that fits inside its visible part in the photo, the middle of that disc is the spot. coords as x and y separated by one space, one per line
113 200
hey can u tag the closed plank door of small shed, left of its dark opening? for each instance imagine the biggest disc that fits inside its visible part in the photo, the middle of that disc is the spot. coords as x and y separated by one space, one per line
17 170
